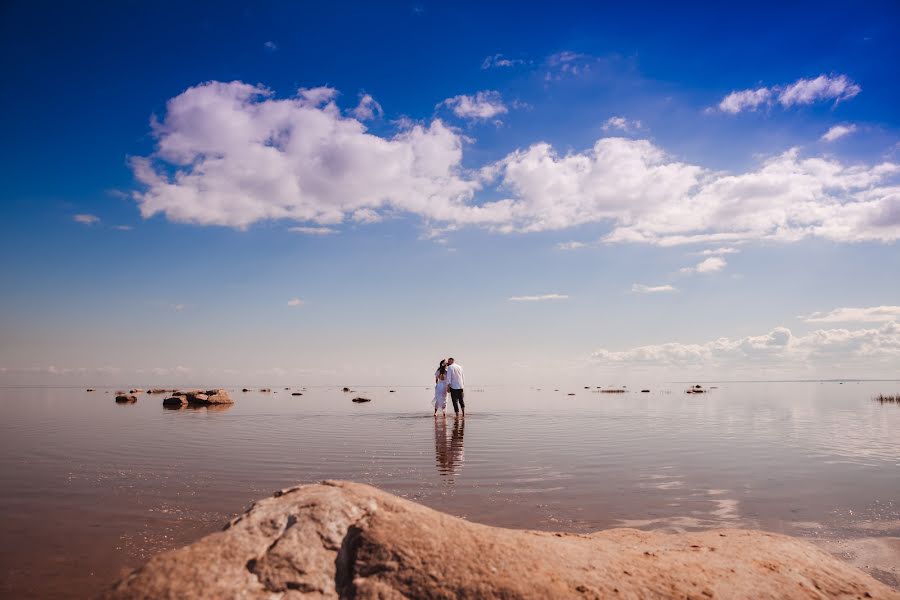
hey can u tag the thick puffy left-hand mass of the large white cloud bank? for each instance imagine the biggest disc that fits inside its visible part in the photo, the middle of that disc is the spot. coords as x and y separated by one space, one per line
230 154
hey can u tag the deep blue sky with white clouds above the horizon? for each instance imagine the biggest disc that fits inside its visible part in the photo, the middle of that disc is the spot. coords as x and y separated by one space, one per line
295 193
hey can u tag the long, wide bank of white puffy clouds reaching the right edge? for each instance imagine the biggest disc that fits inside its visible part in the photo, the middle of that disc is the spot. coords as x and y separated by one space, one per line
231 154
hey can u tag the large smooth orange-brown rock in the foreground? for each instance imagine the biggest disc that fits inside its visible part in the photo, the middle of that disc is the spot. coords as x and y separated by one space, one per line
339 539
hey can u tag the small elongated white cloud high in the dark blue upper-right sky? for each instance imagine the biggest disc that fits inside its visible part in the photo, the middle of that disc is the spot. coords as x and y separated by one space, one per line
802 91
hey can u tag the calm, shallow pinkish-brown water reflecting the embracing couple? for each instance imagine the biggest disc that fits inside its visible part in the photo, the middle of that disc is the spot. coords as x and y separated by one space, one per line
89 488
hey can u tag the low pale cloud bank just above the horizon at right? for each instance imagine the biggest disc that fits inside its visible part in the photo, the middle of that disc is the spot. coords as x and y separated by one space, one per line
779 347
